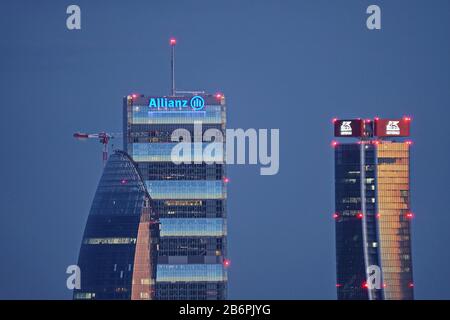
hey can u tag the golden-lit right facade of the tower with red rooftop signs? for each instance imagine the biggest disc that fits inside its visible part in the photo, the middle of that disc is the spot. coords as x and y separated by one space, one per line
395 219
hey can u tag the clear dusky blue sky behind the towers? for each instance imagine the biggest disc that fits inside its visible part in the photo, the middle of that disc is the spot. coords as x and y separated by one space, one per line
292 65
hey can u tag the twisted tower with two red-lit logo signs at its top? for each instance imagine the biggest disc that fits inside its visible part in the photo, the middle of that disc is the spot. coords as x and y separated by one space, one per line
372 203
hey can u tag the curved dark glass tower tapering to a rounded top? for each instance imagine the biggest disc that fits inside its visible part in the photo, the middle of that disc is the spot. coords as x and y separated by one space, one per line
118 252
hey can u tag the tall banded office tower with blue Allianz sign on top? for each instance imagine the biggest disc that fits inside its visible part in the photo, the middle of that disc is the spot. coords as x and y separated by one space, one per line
189 197
